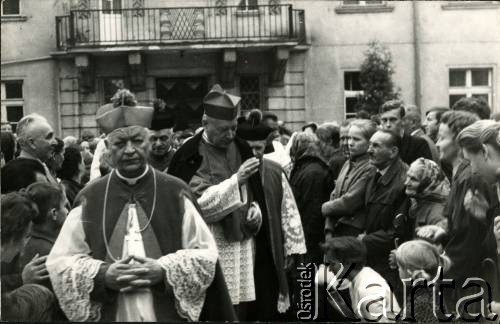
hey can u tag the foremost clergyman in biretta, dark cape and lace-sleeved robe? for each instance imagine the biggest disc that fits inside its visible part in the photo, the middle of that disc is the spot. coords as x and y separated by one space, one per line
151 216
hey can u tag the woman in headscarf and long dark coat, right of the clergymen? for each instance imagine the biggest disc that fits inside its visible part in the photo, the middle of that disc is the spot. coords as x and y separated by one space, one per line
309 181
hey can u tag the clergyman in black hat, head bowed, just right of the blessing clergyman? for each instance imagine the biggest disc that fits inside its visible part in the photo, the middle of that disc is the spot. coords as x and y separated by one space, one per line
283 214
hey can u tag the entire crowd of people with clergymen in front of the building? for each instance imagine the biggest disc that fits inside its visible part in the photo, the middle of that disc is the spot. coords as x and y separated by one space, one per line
149 222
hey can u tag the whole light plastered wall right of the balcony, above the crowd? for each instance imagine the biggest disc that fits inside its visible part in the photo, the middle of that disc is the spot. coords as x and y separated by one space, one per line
467 37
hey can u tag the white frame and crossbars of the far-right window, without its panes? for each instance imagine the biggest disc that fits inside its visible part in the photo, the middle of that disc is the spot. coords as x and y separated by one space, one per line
468 89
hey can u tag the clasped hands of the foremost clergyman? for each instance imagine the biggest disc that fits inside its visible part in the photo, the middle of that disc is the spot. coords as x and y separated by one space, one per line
127 276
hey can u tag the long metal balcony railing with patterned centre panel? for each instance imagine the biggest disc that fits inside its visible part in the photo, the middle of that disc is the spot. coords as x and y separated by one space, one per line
192 25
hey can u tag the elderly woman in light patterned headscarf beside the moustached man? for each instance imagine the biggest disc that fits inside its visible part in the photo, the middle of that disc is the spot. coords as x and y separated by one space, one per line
428 189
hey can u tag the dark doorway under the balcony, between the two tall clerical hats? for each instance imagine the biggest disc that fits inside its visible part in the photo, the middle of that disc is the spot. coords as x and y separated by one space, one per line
184 97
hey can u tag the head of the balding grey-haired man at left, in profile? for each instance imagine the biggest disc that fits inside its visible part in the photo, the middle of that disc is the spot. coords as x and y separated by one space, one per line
36 140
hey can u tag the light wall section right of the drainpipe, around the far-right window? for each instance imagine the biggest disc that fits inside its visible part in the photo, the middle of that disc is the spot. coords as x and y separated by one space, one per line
466 38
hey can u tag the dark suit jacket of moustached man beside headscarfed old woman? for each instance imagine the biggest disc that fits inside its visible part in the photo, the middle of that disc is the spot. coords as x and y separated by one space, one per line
384 200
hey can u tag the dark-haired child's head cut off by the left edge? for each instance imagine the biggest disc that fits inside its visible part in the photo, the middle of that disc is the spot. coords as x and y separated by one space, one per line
18 210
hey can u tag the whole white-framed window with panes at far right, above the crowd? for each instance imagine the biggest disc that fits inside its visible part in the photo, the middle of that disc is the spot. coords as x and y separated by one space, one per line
473 82
